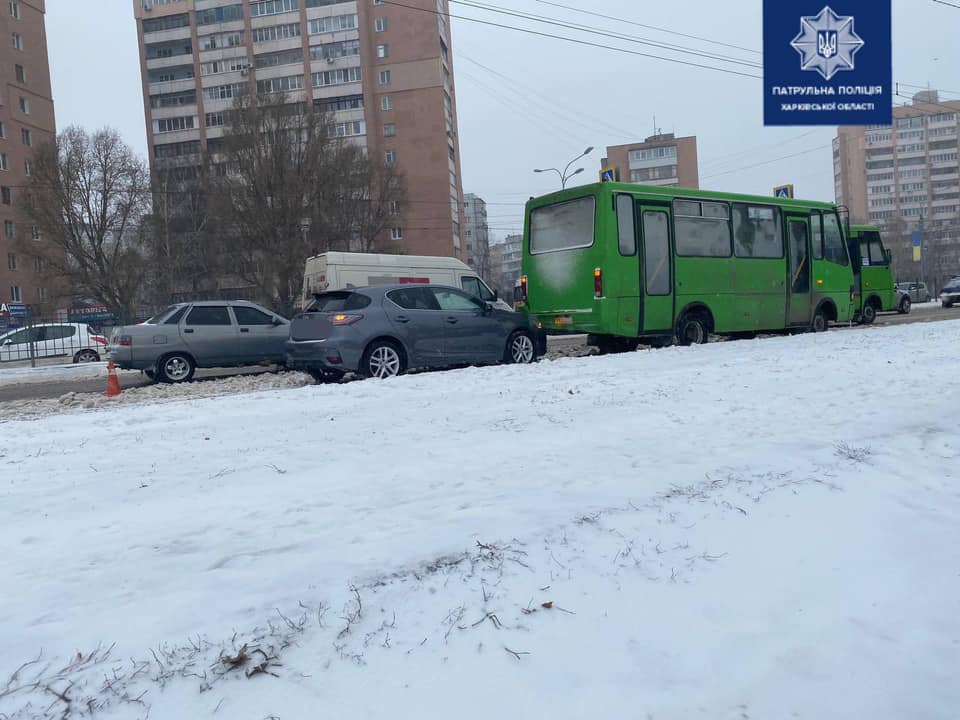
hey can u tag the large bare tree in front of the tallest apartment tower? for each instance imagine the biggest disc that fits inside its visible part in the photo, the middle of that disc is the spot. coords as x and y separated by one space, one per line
291 189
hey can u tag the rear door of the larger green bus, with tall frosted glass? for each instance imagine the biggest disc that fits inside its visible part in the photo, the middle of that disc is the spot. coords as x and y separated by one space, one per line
656 269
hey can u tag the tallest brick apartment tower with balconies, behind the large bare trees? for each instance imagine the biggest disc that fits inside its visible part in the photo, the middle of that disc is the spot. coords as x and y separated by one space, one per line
384 71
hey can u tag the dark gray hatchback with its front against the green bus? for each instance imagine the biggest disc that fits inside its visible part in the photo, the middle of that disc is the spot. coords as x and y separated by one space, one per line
385 330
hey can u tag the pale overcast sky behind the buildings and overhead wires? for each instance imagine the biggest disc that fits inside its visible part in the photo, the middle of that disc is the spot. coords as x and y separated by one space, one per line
527 101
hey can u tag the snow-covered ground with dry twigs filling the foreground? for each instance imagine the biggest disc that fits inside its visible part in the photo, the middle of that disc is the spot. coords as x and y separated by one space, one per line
754 529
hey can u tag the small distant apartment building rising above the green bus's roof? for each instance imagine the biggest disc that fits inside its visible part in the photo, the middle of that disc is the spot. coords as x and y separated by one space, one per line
661 159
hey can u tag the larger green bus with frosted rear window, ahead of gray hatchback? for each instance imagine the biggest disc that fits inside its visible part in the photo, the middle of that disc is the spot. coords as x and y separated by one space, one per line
627 264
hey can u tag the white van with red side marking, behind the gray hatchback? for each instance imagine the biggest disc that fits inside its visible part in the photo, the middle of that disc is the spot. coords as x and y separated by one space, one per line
342 271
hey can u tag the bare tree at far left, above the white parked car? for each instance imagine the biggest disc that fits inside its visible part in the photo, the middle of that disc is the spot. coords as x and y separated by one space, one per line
87 195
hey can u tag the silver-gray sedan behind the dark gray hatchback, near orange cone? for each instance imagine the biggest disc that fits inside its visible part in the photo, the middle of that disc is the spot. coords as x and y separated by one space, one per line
216 333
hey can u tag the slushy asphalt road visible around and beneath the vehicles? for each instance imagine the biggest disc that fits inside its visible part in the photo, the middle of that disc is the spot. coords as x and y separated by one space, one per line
561 345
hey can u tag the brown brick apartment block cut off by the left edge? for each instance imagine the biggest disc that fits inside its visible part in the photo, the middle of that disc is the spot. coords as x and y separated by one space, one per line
26 121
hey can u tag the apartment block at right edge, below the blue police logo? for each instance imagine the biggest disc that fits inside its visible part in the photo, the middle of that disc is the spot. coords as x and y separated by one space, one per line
906 177
